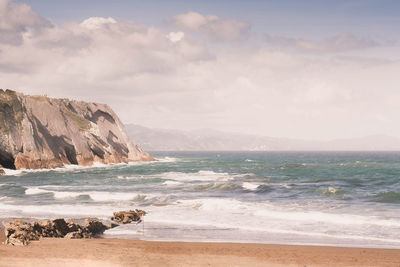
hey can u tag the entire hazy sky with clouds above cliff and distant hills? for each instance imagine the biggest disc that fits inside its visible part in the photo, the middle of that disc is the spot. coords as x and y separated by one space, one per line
303 69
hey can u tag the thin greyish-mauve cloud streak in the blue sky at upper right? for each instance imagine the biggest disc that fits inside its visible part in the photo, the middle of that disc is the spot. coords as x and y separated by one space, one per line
338 43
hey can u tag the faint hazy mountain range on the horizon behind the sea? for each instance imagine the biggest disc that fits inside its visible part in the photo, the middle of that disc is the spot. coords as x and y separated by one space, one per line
213 140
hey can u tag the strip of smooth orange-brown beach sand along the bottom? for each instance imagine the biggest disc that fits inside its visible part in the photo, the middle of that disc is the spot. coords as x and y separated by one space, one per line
118 252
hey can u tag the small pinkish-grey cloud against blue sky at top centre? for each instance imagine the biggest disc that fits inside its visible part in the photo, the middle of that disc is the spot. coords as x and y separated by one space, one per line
213 26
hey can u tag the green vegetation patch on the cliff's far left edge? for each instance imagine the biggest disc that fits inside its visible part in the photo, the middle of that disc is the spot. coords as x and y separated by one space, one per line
11 111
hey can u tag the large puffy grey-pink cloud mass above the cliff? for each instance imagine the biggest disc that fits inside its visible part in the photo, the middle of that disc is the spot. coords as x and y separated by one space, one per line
97 52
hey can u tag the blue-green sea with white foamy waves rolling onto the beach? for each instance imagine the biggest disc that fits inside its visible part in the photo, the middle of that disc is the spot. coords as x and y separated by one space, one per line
320 198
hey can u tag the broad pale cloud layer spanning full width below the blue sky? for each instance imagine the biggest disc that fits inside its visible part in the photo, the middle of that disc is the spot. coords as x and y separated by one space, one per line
175 80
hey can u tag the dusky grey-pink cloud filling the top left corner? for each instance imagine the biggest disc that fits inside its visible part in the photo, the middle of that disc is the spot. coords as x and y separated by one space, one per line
16 20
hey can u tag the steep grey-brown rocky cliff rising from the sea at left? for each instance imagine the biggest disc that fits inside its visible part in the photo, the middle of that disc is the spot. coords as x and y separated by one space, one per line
41 132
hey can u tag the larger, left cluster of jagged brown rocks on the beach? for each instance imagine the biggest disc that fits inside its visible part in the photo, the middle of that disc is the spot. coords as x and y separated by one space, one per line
19 232
